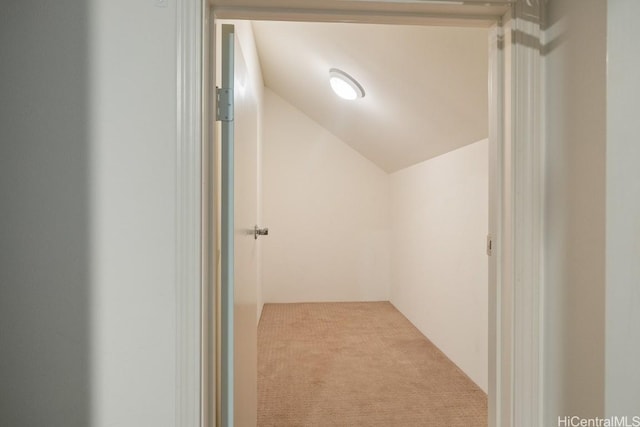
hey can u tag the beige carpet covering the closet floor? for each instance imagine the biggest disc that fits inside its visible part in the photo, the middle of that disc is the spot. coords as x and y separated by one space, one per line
357 364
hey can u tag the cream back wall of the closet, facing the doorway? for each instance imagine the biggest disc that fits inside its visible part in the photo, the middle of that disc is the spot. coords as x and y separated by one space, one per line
327 209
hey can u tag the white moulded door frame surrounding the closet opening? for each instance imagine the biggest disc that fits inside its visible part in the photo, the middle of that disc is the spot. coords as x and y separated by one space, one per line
515 371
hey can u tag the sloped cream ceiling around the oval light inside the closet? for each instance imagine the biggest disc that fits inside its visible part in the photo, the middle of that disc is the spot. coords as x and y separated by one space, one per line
426 87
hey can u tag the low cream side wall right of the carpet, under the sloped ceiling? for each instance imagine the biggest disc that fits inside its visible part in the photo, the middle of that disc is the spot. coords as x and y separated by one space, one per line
439 277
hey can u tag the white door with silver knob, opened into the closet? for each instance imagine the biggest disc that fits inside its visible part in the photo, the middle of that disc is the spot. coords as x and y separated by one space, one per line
239 243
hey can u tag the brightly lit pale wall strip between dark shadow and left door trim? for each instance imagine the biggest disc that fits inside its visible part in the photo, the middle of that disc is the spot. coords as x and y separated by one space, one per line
133 128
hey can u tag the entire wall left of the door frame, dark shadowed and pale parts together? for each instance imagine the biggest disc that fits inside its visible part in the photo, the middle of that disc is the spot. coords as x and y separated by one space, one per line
88 128
